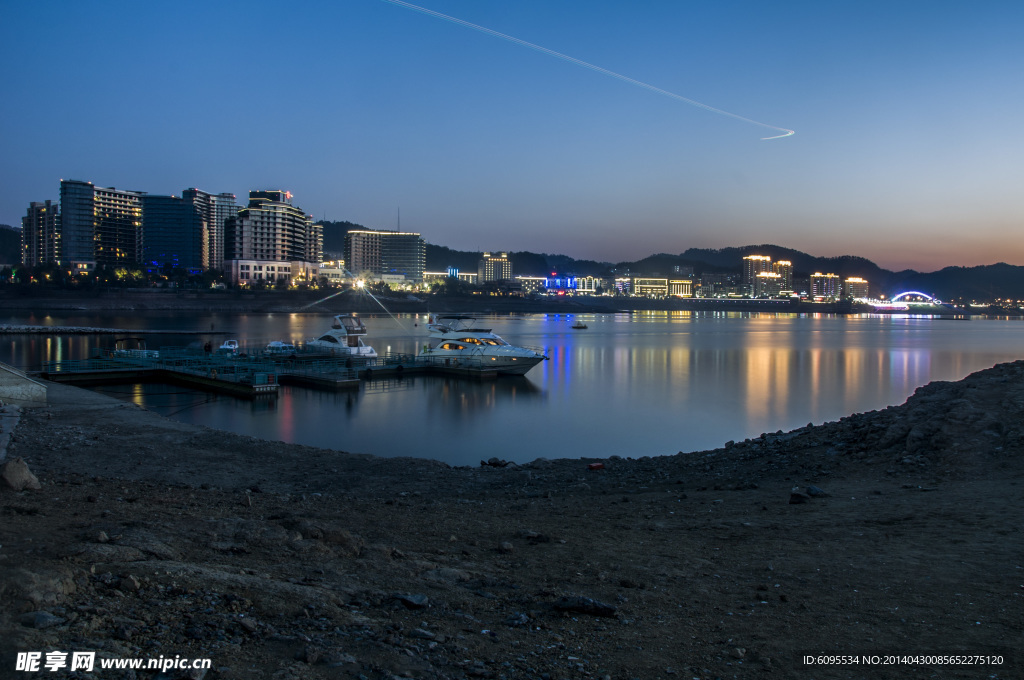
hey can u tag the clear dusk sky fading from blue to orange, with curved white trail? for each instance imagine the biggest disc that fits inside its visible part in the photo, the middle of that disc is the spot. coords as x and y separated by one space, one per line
908 117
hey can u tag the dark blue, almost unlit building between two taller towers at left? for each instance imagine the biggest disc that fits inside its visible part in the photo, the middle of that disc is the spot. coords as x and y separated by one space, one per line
176 235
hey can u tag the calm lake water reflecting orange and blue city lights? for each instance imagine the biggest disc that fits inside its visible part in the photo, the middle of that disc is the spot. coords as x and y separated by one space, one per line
632 385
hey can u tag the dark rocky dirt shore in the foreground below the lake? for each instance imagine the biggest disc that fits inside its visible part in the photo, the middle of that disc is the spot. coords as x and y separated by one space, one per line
890 539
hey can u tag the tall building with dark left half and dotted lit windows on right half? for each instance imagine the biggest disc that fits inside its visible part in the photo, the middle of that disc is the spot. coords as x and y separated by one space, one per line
100 226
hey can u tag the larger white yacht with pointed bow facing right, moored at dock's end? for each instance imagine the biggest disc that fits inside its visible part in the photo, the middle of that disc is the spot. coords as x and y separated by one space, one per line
456 342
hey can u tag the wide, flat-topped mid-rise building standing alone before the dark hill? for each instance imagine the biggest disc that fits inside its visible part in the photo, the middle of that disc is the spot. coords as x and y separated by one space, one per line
392 256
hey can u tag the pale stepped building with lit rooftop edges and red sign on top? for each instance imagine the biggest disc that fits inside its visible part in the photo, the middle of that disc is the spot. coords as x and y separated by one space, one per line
272 240
